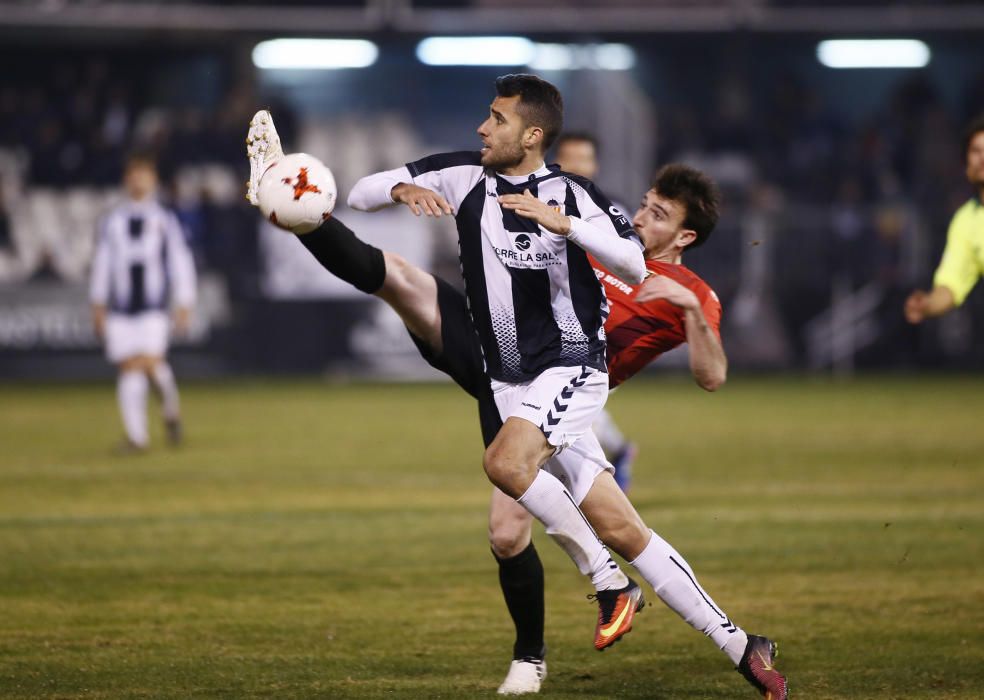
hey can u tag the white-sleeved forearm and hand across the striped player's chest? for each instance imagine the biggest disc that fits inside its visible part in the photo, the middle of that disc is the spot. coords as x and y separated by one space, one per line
623 256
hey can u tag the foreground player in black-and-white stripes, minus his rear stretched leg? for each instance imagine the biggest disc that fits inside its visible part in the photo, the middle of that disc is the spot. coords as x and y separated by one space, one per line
525 231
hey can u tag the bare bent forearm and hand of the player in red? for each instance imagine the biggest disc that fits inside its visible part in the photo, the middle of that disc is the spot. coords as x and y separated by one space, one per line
708 363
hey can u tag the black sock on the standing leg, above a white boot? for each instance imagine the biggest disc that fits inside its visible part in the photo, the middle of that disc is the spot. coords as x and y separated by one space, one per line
521 578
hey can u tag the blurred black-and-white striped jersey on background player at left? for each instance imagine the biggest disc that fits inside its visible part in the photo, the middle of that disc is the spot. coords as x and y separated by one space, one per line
142 262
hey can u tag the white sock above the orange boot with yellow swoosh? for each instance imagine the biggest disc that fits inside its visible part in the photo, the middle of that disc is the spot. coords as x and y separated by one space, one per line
550 503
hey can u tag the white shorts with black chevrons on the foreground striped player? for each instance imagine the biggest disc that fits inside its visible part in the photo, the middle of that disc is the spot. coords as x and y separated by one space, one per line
562 402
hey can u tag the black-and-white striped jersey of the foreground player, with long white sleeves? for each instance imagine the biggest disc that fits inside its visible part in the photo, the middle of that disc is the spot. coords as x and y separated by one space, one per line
534 298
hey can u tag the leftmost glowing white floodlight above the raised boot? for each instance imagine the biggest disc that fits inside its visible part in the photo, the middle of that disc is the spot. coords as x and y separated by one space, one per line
314 54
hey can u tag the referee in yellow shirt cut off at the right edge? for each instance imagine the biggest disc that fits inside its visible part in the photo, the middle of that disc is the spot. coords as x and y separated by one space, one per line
963 259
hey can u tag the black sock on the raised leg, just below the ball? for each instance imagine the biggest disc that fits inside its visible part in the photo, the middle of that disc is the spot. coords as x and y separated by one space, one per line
341 253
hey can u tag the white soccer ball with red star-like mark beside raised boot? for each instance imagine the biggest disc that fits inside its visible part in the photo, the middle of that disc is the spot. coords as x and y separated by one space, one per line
297 193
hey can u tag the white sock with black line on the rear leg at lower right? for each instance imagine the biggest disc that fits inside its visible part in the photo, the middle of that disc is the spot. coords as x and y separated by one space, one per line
675 583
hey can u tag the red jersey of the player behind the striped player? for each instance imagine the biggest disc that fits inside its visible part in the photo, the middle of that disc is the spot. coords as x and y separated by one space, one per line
638 333
